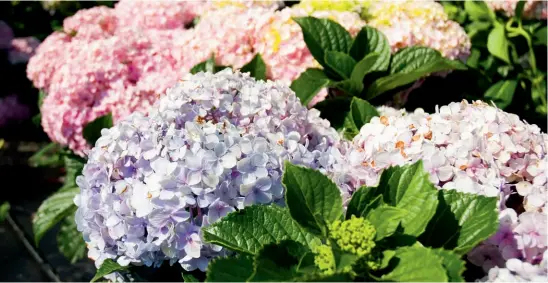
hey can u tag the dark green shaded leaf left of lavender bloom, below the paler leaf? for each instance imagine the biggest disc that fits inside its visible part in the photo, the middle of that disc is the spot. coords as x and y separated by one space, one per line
70 241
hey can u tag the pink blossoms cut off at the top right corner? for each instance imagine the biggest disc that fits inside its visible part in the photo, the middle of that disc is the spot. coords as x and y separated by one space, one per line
534 9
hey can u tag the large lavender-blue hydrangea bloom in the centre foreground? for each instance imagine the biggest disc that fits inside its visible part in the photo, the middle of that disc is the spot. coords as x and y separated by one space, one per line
211 145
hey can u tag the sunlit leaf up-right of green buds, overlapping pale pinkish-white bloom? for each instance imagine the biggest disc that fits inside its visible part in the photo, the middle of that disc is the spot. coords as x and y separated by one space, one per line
408 187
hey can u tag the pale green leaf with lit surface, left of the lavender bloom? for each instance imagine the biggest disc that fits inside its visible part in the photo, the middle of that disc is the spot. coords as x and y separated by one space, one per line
52 210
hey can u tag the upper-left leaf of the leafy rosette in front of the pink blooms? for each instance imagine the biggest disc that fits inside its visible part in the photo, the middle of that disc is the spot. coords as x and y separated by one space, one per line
321 35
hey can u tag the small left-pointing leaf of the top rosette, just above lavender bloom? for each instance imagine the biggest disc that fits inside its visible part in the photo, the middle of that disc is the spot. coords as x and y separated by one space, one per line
309 84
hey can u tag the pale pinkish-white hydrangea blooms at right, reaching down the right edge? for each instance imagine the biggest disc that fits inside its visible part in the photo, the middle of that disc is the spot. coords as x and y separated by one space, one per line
473 148
